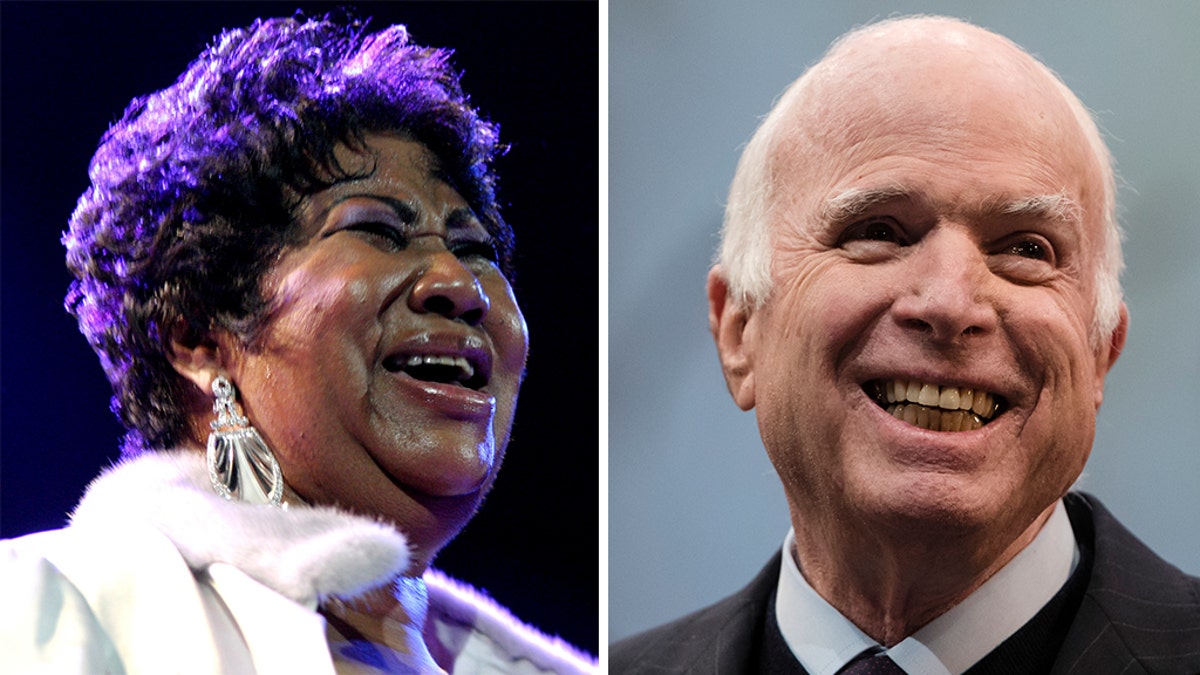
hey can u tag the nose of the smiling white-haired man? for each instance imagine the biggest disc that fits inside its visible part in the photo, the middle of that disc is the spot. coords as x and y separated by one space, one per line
946 289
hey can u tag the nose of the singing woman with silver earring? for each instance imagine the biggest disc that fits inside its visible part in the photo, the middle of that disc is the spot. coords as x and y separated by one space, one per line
447 288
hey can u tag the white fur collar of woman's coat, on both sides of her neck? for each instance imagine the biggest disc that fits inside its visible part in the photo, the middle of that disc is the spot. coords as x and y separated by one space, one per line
308 554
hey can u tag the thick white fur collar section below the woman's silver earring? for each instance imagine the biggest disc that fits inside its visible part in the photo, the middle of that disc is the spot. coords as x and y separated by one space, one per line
305 554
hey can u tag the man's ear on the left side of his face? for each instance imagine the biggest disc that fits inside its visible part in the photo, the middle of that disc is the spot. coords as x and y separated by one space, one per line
733 326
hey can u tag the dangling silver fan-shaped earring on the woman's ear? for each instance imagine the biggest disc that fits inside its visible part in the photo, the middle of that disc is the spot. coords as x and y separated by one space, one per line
241 464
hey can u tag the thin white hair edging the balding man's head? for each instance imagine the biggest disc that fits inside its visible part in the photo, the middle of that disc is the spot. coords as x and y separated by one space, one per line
746 250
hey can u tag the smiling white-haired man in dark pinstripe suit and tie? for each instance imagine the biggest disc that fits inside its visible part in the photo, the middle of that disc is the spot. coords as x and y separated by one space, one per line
919 296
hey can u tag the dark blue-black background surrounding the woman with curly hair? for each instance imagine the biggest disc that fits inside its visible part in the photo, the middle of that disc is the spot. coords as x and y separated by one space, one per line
69 70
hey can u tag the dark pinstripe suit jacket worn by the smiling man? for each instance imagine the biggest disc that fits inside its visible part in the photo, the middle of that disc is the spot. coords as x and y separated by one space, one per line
1138 616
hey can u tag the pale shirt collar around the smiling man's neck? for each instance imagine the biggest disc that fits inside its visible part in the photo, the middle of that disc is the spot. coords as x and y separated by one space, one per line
825 642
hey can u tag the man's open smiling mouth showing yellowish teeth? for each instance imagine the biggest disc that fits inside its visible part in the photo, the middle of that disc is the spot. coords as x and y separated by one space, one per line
938 409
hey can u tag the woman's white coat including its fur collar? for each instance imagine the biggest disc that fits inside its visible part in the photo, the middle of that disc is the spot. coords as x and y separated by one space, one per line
112 584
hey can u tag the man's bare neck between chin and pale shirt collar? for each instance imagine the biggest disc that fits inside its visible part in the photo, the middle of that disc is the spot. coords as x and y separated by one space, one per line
891 588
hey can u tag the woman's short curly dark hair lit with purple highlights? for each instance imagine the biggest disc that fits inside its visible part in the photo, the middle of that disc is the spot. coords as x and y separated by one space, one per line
194 192
